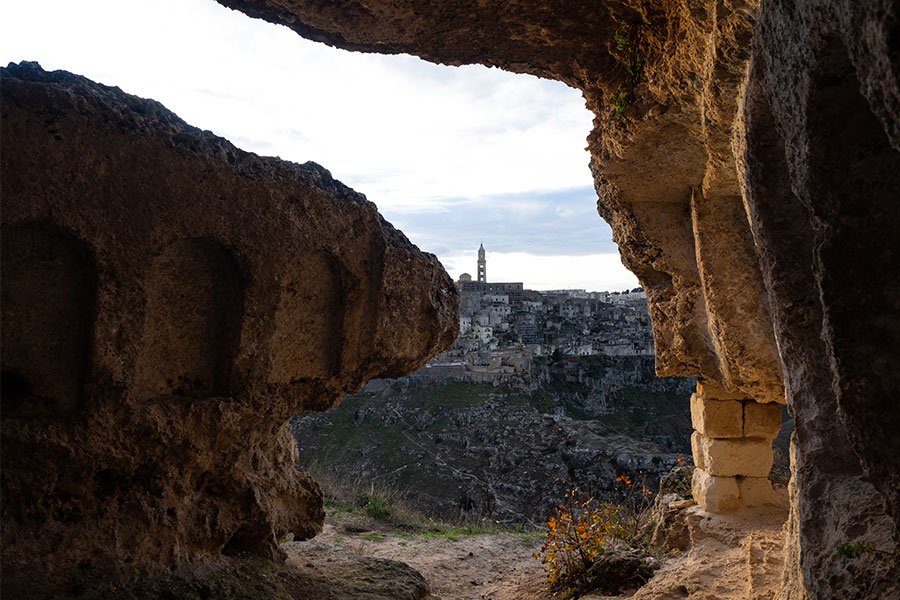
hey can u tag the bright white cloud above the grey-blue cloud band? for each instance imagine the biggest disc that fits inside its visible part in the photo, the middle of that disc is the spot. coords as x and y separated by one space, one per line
410 131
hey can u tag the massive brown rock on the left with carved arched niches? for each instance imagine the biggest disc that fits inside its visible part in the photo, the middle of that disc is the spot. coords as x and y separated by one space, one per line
168 303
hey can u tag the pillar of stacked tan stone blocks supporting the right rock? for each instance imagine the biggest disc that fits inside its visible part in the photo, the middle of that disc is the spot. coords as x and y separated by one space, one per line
732 448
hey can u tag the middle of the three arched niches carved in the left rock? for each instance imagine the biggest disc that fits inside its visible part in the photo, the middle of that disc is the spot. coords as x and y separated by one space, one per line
192 321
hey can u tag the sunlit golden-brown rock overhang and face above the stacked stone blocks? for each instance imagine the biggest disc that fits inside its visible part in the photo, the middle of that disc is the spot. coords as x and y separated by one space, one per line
663 80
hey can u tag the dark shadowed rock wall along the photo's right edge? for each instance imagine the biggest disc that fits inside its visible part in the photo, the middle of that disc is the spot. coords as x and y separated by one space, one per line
822 110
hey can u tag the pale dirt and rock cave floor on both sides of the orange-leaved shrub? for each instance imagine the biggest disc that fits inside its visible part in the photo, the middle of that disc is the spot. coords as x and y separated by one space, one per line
724 557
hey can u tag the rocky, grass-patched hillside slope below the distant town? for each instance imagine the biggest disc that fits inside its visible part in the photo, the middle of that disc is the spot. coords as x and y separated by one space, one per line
476 452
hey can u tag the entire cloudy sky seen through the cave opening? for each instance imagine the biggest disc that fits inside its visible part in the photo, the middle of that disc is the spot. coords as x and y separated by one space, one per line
452 156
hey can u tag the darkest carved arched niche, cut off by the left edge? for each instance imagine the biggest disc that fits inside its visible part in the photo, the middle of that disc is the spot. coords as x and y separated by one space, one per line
48 295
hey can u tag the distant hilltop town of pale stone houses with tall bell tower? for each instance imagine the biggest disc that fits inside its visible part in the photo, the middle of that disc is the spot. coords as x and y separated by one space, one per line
504 327
